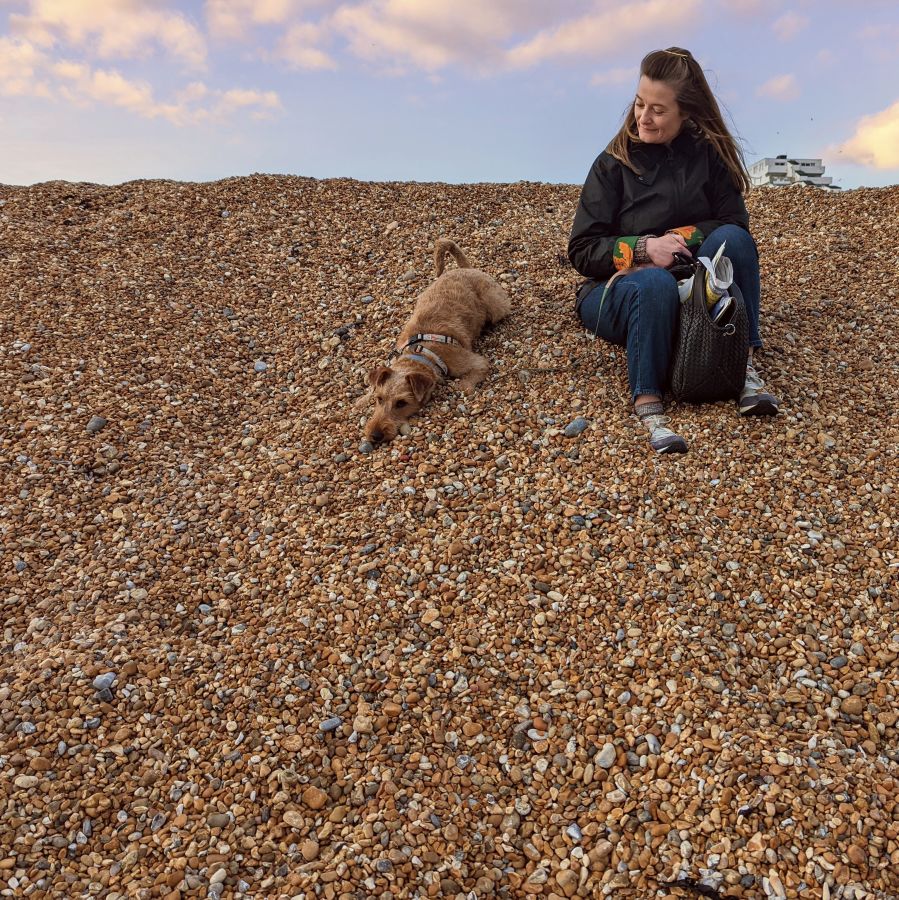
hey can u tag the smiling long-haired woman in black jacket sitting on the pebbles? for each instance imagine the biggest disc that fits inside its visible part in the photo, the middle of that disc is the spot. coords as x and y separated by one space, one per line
671 181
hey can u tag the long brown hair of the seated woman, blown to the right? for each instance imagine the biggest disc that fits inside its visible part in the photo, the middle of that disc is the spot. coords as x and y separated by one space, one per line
678 69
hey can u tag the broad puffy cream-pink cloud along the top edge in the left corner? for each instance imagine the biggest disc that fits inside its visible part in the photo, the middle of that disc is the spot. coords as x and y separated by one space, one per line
112 29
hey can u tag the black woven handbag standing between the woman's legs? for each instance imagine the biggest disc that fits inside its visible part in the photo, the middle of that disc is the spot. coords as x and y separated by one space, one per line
710 357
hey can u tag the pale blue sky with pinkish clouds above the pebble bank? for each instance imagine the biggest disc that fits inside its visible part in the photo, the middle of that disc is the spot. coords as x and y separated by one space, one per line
425 90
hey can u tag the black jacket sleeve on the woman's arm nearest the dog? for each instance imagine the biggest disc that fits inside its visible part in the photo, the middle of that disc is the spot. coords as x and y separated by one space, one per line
591 246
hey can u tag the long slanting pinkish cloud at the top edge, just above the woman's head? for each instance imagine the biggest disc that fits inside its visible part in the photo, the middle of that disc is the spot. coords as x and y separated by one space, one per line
603 30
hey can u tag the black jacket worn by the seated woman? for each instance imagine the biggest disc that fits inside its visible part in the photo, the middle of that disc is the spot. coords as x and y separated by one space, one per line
684 184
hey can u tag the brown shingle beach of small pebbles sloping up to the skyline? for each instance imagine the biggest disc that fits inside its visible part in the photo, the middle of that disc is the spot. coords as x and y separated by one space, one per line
243 657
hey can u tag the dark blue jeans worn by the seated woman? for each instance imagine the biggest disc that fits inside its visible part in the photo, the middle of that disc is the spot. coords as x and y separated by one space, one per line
641 310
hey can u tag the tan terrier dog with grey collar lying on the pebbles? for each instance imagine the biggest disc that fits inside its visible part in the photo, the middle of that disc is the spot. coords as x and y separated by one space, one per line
436 342
